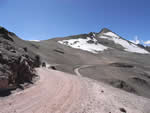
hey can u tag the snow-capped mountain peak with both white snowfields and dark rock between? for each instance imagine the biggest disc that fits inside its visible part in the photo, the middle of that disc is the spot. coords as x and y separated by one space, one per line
95 42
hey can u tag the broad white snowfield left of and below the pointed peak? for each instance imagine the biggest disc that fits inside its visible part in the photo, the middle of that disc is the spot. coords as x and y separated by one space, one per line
83 44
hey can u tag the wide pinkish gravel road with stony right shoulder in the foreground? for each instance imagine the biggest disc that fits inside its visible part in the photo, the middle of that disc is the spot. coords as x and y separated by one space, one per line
58 92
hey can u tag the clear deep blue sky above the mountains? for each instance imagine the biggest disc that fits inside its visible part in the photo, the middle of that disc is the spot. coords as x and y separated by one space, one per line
44 19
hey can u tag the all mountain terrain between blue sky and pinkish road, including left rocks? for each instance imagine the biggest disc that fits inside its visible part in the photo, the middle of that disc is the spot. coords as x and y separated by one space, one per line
104 57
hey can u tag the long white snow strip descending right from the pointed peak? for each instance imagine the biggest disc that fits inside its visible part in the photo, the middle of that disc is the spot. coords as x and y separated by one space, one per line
130 47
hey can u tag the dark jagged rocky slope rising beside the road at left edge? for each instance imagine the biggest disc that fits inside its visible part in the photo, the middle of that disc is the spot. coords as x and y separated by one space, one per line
16 62
